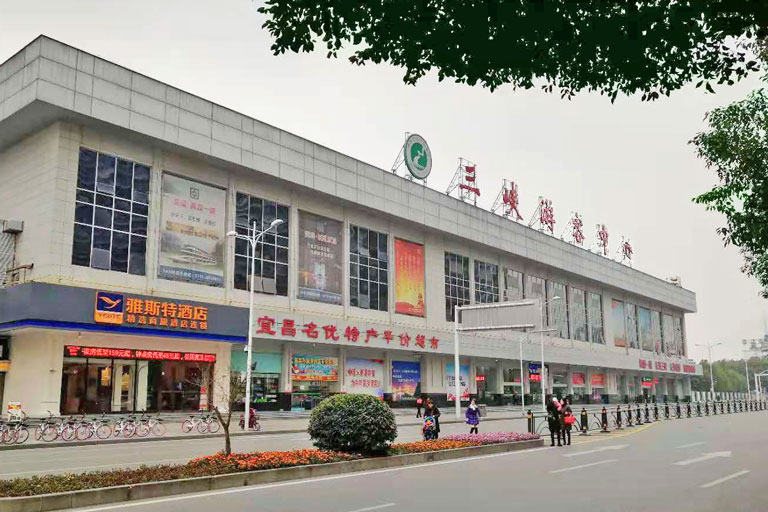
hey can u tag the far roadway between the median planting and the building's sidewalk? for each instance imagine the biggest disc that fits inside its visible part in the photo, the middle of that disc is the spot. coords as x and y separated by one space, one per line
64 459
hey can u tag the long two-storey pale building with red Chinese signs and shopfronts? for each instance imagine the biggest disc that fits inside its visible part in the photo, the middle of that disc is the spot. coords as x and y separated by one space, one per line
121 291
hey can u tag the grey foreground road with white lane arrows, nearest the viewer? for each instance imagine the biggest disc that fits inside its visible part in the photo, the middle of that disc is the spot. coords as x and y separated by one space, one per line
702 464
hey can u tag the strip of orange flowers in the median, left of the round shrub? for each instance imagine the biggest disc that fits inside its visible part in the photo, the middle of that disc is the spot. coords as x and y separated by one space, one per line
218 464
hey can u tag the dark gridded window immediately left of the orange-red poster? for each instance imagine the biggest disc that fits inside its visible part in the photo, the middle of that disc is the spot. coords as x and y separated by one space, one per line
368 269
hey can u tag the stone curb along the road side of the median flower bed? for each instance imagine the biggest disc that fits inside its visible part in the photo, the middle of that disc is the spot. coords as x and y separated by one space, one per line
92 497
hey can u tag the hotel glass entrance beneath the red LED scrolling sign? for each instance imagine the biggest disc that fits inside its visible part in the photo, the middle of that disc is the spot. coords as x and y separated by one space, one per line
138 381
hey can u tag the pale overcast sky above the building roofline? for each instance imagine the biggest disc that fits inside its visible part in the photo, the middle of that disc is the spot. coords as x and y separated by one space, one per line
627 165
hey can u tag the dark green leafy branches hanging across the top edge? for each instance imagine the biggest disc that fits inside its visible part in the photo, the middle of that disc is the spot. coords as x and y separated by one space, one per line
610 46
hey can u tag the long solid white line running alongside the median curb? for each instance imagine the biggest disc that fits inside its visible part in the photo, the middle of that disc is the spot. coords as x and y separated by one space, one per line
307 481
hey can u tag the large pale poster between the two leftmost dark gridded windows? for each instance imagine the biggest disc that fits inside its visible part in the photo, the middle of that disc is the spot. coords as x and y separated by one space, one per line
192 232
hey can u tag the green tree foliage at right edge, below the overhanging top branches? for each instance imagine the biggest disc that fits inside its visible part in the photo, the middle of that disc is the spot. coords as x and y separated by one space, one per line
736 147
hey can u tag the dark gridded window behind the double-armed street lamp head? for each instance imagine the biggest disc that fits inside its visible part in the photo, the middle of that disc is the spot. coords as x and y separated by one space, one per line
271 265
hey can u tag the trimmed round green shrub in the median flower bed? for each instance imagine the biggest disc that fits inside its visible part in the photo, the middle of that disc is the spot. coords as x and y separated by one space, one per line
352 424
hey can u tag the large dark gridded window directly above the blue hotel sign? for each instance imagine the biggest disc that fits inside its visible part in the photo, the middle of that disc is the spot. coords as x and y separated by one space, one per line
108 236
